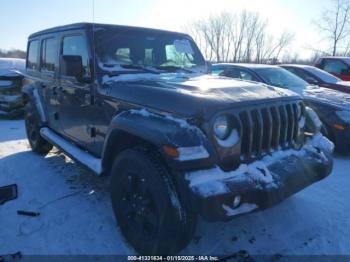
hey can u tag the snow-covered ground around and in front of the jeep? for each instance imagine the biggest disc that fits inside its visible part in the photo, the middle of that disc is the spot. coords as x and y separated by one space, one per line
76 215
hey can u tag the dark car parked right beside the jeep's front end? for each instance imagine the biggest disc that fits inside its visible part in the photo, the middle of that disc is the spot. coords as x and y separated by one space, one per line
333 107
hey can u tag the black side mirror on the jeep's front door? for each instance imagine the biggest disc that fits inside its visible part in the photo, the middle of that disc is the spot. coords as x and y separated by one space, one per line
72 65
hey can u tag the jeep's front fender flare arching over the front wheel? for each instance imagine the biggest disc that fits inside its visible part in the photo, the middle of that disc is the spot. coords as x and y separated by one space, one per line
157 130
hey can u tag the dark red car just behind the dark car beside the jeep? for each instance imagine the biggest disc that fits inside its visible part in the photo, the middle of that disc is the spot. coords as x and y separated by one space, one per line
316 76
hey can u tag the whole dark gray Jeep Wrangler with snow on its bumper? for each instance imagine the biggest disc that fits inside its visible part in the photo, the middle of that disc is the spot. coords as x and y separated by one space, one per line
137 104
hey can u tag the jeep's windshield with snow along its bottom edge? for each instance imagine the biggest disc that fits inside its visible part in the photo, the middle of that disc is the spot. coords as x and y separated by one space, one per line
168 51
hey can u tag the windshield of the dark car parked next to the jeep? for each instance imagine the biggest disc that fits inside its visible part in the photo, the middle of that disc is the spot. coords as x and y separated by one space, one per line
281 78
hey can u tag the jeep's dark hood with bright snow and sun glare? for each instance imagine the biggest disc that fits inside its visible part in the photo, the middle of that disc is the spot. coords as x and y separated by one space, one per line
188 94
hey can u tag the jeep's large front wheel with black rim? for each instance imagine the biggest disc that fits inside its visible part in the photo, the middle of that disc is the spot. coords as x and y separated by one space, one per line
146 206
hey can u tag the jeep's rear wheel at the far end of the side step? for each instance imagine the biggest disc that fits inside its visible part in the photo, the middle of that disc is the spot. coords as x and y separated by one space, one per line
38 144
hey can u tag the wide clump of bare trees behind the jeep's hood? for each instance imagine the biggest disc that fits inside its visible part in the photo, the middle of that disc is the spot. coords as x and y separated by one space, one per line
237 37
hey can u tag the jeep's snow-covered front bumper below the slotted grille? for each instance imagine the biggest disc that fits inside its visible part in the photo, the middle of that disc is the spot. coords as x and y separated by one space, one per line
219 195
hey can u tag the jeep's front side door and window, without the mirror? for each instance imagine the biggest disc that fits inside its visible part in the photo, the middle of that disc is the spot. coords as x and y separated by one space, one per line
76 105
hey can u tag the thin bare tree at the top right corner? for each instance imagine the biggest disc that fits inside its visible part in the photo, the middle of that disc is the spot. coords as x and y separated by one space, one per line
335 23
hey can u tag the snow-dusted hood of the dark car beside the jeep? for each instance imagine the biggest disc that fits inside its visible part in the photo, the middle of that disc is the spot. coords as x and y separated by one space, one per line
328 96
